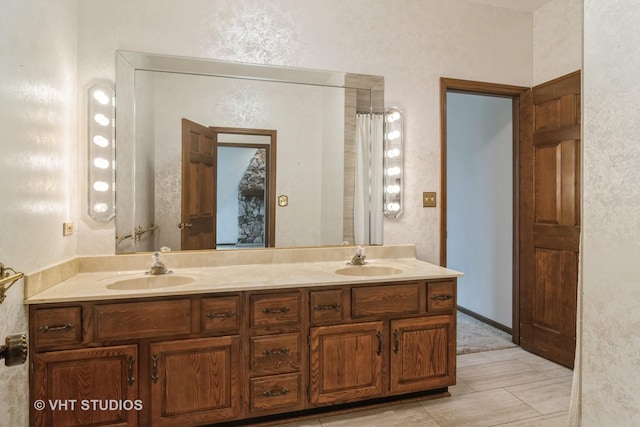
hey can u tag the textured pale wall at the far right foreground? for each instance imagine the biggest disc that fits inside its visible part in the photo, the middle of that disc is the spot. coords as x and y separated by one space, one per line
611 215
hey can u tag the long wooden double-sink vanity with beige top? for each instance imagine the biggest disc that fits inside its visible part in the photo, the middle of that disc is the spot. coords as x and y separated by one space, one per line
269 339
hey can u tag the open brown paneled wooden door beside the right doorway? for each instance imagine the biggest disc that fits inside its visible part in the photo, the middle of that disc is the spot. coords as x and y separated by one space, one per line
550 217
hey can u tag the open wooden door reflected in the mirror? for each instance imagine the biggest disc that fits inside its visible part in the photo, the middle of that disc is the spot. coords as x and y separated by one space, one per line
198 214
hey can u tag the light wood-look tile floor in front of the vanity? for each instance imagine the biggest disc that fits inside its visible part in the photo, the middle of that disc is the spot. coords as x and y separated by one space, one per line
506 388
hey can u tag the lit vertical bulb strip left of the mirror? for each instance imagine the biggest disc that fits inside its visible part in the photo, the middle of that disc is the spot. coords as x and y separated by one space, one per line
101 151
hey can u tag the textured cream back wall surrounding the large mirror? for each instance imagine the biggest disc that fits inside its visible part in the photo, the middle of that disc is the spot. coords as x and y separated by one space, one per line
412 43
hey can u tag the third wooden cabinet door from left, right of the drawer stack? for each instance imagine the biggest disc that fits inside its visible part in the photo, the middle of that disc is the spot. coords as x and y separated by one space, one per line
346 363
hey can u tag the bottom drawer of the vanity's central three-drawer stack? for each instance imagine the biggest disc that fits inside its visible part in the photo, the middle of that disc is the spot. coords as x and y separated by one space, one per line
275 392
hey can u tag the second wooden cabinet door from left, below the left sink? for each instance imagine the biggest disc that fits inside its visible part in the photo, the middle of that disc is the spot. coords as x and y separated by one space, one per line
195 381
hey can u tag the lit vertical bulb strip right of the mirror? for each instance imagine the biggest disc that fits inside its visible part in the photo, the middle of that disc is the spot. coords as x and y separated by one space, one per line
393 162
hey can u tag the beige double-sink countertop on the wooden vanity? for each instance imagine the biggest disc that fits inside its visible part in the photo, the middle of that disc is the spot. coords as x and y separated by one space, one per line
95 285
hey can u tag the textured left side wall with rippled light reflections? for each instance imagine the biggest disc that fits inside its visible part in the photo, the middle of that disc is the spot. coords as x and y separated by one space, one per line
37 160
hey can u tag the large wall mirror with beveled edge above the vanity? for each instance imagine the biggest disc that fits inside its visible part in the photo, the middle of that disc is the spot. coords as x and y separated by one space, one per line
322 181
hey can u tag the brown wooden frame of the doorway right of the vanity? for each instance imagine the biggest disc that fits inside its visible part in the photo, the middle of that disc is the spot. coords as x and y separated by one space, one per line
488 89
